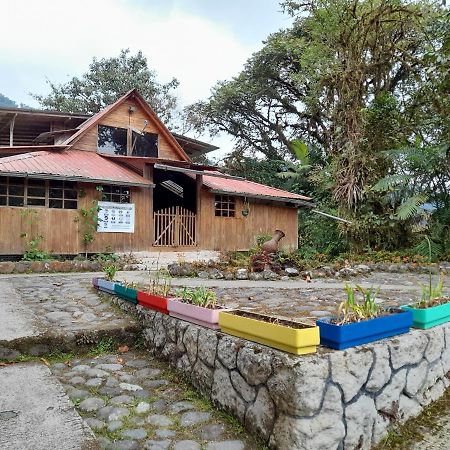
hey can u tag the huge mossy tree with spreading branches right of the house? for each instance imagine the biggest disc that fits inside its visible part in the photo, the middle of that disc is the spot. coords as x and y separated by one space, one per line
328 80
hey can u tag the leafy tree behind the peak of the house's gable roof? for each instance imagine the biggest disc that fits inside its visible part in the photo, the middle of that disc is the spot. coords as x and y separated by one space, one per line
106 80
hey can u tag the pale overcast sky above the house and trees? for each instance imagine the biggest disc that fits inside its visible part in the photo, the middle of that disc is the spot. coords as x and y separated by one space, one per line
197 41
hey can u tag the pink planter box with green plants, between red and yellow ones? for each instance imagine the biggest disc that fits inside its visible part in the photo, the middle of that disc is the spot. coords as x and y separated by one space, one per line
197 305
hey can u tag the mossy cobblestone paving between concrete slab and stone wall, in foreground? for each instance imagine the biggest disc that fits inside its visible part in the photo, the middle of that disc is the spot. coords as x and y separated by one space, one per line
132 401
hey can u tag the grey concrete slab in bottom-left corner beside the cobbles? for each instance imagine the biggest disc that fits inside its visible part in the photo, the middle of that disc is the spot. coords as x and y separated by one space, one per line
36 414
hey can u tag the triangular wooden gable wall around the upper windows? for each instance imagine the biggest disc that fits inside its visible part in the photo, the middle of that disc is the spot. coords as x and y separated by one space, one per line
120 117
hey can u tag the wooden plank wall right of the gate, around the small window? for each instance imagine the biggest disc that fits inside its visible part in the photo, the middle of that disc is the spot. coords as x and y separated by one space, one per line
238 233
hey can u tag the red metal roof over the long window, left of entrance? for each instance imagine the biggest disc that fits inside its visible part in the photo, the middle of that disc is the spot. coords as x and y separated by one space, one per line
73 165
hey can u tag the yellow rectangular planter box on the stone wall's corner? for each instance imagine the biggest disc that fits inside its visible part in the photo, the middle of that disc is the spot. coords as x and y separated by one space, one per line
298 341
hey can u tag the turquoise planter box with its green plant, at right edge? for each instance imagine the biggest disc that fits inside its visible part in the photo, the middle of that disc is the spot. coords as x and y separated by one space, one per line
434 307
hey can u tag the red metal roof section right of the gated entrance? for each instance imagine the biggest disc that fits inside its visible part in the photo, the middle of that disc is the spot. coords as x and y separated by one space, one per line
242 187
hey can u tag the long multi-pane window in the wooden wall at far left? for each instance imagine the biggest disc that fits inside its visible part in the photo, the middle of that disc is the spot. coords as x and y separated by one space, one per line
35 192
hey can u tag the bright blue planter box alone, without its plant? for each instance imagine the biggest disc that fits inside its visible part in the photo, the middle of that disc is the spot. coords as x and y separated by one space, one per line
340 337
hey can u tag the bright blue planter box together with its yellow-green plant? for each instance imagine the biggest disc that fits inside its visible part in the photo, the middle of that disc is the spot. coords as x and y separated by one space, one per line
360 322
